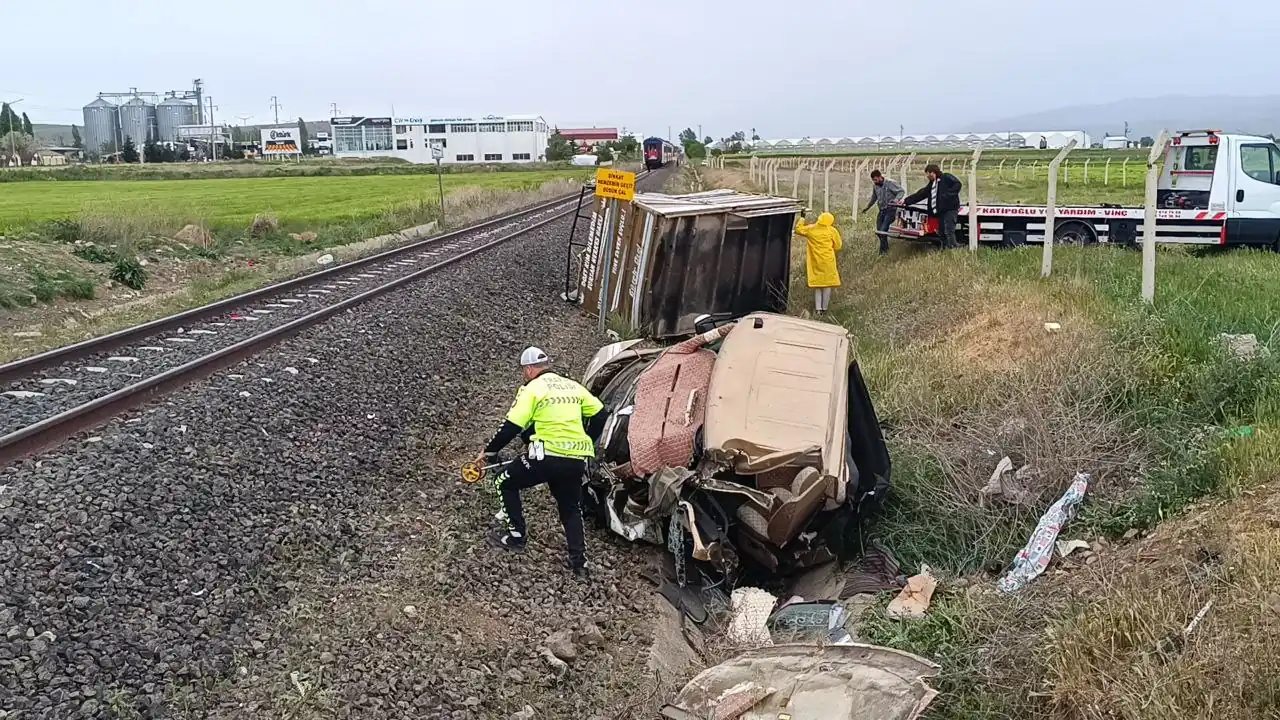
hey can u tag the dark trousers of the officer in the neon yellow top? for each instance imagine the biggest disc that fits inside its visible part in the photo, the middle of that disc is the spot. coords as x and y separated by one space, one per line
564 476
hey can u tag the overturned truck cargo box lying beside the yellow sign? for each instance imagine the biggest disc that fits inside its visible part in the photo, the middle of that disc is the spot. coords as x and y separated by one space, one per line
662 261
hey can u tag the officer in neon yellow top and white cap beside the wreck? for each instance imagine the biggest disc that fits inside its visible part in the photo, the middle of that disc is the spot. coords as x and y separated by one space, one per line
557 411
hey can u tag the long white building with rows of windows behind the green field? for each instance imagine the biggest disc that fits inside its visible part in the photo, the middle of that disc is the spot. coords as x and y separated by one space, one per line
493 139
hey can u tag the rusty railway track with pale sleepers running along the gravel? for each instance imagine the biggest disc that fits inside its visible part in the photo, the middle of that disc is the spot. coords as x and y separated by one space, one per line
54 395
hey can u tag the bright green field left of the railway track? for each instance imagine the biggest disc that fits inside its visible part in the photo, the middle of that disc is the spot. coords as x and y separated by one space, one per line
299 203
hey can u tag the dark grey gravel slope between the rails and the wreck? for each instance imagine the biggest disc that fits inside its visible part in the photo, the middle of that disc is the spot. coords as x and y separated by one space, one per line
248 546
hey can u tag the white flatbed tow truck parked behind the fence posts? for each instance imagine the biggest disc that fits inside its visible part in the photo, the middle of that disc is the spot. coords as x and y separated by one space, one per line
1215 190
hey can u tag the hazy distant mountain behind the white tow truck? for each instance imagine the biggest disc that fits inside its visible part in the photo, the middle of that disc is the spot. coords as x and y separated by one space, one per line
1148 116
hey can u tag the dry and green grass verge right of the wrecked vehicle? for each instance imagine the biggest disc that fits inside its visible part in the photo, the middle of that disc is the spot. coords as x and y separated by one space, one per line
1178 436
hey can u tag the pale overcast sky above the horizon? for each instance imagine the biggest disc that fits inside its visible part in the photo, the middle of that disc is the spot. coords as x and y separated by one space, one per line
788 69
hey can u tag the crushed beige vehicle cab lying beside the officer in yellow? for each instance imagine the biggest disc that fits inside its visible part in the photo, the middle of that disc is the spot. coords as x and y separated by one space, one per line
751 446
